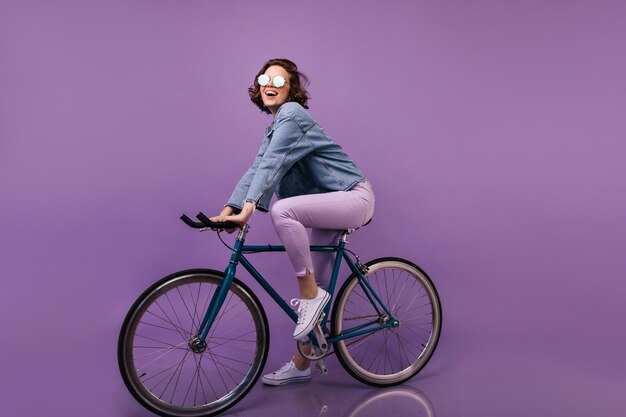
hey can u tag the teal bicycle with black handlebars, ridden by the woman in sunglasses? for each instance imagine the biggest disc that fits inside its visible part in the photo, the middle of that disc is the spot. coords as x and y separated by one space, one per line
195 342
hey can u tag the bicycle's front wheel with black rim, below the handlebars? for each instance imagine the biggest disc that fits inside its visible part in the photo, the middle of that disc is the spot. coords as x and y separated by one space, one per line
155 355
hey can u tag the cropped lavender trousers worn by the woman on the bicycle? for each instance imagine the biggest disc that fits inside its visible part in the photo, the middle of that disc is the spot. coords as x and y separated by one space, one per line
327 215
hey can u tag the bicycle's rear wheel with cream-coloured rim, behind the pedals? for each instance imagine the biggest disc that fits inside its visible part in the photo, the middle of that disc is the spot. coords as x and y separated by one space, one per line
392 355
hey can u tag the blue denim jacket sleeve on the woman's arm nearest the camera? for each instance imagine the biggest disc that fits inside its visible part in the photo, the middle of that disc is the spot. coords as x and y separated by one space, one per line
287 146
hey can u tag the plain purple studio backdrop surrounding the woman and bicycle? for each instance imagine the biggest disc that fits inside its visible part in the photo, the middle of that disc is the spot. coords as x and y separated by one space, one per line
493 132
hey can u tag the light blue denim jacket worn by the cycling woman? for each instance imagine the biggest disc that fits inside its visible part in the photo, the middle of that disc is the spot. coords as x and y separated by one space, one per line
296 157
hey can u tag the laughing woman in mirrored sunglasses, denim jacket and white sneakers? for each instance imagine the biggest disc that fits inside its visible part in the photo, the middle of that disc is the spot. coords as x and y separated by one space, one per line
317 185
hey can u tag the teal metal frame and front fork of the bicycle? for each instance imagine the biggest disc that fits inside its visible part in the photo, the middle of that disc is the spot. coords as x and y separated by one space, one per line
237 257
